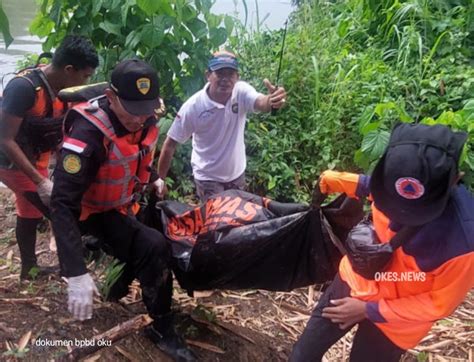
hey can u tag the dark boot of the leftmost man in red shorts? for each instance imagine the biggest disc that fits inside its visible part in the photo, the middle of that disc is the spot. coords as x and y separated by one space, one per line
26 238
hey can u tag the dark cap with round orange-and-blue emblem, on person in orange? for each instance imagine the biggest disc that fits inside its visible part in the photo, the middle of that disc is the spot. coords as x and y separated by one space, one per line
412 181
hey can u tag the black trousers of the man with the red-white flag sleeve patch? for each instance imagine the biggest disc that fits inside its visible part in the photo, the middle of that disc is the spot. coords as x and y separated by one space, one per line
146 252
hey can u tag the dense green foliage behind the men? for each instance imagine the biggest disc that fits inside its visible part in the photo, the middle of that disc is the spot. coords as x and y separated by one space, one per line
352 69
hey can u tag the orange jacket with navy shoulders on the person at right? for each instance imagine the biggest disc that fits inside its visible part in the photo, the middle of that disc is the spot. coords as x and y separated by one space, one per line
429 275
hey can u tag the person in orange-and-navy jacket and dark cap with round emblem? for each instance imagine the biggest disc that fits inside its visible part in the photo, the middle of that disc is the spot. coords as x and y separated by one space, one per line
415 184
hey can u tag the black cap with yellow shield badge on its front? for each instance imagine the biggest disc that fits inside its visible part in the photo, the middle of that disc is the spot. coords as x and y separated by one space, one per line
136 84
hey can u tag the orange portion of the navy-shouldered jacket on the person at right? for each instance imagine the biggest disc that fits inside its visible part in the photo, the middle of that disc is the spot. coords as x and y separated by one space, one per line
411 307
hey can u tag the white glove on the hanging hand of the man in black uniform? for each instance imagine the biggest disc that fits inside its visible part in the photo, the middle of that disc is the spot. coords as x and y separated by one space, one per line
81 290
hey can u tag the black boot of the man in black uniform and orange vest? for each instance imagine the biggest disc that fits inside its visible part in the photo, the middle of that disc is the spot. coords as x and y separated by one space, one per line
164 336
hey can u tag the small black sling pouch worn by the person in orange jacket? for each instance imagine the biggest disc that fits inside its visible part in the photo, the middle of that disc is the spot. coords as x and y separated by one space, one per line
367 254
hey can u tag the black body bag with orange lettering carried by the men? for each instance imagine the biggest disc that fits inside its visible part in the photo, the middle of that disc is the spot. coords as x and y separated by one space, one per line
238 240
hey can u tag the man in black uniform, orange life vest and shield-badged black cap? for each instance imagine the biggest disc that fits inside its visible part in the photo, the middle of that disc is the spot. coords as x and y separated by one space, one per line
105 156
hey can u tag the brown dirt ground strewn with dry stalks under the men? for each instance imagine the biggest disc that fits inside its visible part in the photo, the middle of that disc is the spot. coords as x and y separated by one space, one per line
252 325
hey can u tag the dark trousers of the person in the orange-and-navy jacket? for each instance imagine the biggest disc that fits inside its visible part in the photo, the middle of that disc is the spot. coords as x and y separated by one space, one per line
369 345
